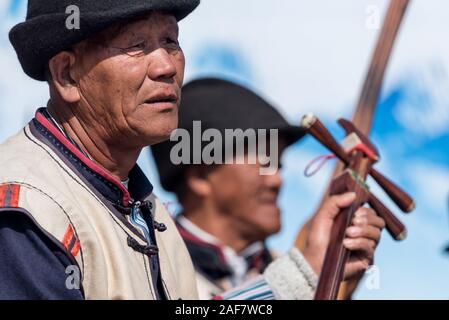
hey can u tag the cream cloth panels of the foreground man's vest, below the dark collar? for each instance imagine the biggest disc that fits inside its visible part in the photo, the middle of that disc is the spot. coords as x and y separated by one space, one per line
65 206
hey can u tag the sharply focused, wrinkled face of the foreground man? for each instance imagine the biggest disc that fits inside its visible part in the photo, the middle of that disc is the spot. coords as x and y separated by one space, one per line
130 84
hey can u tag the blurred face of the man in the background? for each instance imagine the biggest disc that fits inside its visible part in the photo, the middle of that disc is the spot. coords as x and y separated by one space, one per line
248 198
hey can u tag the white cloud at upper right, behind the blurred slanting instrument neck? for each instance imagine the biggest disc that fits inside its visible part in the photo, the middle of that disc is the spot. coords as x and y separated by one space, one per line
313 55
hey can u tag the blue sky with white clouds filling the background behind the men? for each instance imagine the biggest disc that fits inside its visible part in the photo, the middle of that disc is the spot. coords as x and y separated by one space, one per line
305 56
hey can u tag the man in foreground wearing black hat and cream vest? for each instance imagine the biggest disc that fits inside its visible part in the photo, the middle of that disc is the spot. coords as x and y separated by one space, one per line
78 219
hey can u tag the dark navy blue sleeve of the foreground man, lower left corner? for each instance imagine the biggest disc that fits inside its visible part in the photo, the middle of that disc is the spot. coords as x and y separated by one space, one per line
32 265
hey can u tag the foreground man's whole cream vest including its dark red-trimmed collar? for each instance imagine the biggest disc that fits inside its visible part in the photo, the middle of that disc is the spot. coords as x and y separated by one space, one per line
83 208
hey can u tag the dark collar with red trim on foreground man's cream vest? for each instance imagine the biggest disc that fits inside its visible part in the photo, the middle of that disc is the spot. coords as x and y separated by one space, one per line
103 181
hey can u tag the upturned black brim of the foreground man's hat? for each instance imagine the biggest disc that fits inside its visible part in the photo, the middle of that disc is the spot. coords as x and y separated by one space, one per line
37 40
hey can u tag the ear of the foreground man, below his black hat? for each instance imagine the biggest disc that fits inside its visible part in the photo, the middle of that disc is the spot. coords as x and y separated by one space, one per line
60 67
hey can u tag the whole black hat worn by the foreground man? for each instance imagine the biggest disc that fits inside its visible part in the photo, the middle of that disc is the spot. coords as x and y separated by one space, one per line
44 33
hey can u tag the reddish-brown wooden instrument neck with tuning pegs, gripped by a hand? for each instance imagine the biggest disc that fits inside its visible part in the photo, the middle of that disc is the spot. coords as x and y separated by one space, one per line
358 156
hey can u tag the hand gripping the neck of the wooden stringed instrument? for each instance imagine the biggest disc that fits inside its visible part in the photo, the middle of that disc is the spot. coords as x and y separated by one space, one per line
361 237
